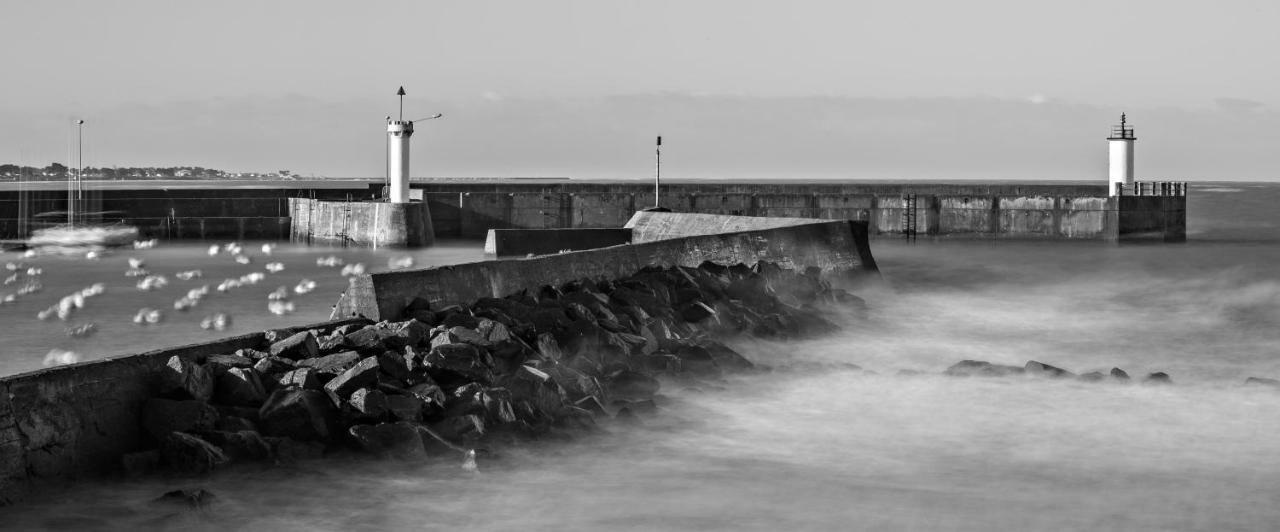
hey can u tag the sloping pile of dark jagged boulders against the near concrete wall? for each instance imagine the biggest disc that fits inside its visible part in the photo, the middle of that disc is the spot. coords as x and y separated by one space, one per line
499 372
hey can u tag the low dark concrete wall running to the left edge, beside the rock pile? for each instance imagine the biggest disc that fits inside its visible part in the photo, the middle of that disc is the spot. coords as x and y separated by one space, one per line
77 420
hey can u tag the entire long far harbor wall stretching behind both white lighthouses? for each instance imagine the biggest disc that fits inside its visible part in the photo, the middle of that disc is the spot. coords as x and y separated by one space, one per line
470 209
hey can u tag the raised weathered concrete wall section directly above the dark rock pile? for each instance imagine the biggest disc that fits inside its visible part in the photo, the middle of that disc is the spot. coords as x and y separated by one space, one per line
839 249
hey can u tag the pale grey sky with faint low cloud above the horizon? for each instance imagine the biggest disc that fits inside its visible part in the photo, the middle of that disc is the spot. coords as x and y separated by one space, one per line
738 89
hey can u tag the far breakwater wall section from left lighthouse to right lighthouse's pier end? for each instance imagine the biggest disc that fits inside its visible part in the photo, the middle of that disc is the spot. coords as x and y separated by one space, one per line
1049 212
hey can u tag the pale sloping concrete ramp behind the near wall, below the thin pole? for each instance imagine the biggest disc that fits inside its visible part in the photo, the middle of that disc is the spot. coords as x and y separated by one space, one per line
648 227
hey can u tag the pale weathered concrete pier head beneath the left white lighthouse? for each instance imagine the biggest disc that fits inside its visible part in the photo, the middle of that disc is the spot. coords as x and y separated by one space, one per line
368 224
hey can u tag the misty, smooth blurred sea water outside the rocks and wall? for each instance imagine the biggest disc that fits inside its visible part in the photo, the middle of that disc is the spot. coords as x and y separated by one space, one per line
816 444
